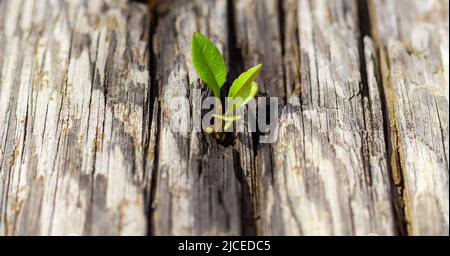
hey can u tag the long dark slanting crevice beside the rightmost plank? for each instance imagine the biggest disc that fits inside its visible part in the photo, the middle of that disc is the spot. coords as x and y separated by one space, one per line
367 27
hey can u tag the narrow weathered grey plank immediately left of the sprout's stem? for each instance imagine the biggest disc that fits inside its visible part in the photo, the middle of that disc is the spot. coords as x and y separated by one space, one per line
197 189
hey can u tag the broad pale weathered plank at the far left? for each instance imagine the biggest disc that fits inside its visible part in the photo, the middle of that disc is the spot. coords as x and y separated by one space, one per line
73 89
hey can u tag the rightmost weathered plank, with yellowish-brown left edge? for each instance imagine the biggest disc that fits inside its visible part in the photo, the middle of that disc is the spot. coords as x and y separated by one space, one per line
392 29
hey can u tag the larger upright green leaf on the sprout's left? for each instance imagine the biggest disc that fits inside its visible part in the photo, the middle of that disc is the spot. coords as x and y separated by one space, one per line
209 63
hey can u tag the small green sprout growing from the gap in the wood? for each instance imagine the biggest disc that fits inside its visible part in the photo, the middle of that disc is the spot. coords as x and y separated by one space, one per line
211 68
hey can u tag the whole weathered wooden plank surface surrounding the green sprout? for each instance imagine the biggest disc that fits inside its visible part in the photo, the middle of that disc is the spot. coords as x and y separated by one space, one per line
87 145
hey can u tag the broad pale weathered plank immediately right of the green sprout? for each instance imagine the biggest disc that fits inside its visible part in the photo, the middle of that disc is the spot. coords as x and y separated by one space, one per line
327 172
